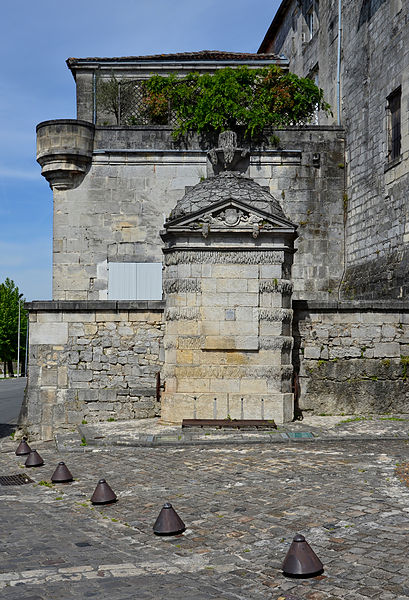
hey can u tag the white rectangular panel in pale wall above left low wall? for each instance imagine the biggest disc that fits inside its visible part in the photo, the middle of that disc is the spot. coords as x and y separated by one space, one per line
134 281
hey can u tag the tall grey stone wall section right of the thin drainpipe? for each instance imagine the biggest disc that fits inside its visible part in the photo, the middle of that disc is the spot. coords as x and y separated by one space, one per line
376 62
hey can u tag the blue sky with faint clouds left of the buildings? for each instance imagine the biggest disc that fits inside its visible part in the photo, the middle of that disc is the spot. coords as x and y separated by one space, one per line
35 85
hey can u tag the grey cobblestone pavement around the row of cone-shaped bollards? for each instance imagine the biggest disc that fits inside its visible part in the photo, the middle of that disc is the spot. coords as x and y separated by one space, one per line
242 506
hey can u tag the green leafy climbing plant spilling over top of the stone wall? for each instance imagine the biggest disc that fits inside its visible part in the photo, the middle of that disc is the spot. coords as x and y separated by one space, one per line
252 99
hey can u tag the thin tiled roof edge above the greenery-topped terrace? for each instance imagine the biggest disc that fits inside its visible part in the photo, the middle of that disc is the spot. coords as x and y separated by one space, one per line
203 55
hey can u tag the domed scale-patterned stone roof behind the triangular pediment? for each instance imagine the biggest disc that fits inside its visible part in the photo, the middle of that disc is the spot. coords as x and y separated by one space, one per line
225 186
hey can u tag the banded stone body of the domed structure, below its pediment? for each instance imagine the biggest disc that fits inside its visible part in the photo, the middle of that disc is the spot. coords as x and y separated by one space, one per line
228 339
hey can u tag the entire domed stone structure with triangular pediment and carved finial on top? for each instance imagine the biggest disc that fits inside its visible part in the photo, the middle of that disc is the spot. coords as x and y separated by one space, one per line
227 280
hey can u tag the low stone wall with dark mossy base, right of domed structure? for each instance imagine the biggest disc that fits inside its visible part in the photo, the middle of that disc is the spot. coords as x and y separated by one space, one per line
352 357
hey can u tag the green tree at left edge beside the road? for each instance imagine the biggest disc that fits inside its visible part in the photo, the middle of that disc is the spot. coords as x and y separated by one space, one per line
10 299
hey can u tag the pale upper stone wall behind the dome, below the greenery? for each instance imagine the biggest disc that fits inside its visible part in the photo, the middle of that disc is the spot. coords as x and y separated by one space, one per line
137 174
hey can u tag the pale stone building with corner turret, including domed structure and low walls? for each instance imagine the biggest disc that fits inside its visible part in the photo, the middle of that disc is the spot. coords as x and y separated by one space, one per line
203 278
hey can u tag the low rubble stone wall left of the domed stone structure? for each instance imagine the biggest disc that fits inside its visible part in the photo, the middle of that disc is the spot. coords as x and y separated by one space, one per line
92 361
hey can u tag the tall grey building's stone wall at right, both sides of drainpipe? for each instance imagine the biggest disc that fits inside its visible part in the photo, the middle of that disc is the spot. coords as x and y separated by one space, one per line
374 63
